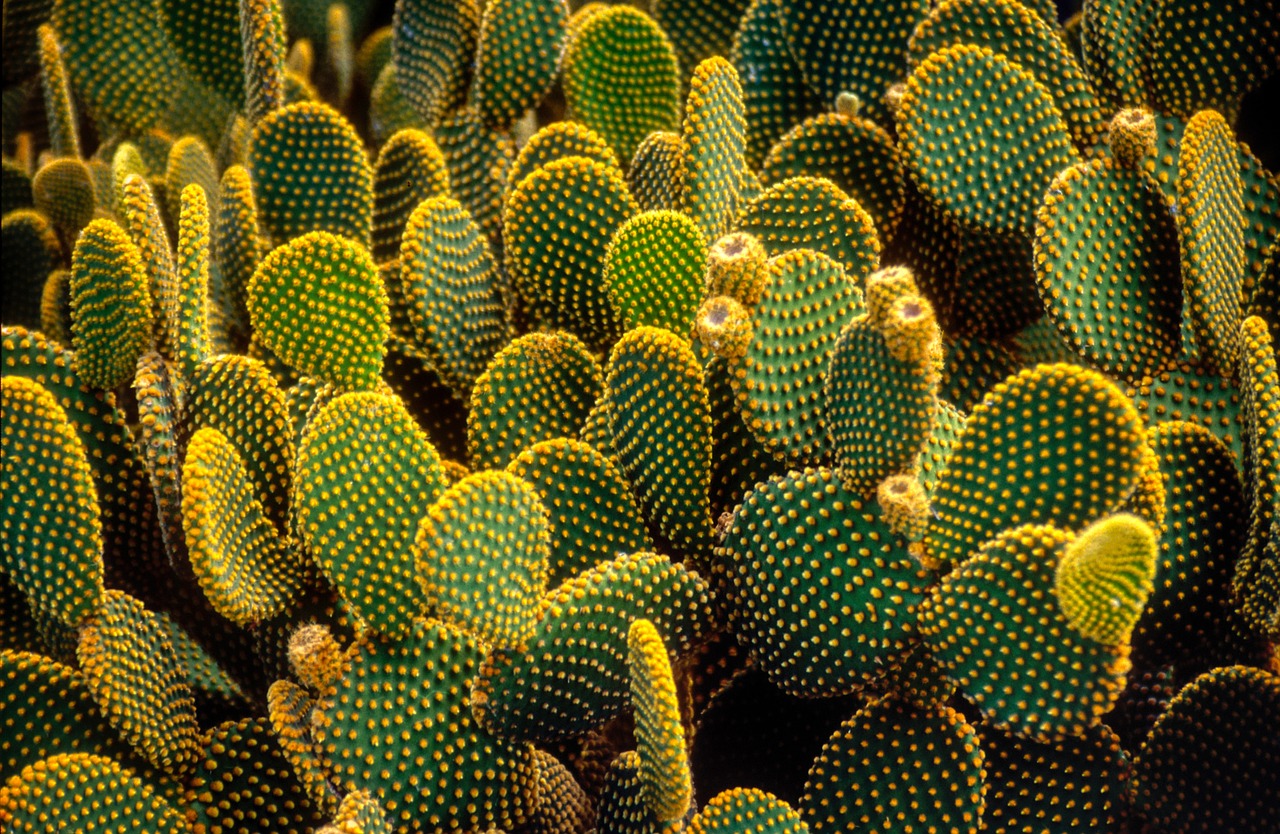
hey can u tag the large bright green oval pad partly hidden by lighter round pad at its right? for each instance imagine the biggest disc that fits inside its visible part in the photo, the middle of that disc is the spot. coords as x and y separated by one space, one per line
367 475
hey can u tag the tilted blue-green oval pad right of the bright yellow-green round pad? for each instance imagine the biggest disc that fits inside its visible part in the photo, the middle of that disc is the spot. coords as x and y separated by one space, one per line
451 288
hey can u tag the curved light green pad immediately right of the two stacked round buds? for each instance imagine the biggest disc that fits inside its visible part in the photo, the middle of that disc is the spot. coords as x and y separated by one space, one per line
807 301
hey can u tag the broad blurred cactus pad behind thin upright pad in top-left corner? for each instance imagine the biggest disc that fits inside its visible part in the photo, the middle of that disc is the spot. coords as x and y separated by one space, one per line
130 83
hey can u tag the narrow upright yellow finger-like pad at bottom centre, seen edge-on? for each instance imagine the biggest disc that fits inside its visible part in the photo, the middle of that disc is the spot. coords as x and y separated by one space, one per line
665 778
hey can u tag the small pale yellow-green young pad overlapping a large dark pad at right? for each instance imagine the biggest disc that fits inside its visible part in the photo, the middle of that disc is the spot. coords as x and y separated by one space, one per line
1105 578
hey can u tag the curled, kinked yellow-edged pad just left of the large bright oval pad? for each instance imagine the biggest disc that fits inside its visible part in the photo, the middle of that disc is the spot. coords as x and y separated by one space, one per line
246 570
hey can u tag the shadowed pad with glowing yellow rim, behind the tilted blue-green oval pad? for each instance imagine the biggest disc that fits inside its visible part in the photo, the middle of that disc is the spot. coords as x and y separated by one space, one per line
410 169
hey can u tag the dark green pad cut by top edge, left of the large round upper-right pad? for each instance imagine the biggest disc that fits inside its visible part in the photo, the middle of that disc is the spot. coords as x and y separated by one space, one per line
851 48
